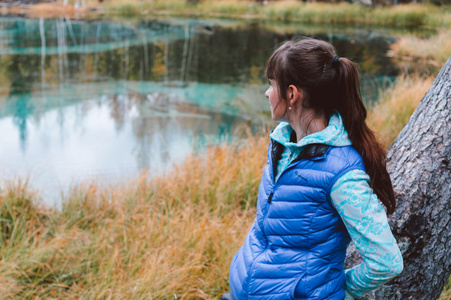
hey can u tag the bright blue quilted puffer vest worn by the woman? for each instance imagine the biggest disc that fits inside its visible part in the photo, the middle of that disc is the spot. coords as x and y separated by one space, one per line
298 241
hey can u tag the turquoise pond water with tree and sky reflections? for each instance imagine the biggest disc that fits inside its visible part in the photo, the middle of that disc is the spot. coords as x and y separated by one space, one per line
96 99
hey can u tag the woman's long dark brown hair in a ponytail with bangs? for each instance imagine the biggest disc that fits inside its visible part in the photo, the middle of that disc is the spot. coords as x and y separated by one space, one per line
333 85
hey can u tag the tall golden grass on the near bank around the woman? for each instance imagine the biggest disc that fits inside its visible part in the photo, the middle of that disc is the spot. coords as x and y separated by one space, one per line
169 238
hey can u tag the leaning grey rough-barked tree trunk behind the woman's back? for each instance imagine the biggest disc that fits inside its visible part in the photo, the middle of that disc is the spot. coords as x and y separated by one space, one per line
419 164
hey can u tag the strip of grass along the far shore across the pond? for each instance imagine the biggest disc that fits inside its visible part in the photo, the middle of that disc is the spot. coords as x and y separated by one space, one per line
413 15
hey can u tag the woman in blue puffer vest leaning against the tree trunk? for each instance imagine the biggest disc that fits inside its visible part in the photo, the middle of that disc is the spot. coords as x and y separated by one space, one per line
321 187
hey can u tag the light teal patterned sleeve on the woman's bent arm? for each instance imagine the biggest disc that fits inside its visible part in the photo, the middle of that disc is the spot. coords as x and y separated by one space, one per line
367 224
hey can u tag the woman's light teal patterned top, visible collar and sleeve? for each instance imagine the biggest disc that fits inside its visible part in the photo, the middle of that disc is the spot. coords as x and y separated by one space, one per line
359 208
